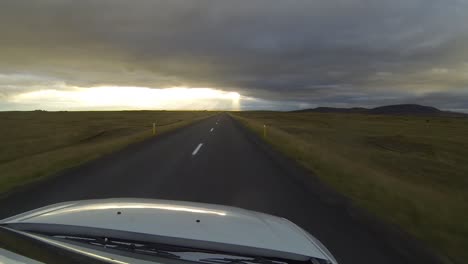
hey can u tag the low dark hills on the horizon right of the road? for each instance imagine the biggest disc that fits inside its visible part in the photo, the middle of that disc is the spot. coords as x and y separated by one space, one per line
401 109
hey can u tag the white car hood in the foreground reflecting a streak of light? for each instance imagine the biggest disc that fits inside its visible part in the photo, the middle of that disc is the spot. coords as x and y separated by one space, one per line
195 221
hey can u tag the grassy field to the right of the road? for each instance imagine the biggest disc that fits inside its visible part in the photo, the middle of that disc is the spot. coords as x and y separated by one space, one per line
410 171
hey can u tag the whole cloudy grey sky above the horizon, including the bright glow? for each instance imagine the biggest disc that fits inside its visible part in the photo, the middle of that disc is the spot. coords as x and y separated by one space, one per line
222 54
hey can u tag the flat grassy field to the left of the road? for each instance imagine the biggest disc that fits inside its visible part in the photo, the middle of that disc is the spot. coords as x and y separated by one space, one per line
35 145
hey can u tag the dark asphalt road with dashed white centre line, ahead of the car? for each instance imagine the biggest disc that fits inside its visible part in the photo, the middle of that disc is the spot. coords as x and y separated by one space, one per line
213 161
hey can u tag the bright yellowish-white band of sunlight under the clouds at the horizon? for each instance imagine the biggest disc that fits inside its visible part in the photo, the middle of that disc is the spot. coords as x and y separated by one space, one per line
110 97
